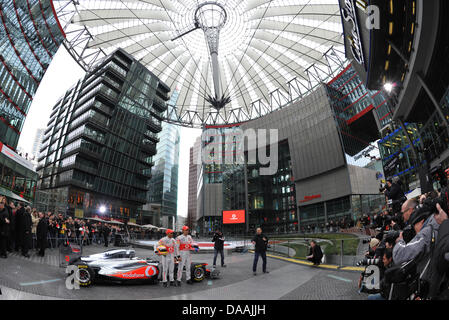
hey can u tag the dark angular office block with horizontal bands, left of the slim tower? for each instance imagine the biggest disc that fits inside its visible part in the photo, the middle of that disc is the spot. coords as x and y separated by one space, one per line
98 149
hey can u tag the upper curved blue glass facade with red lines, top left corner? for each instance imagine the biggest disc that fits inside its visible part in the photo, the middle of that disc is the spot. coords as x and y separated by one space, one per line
30 35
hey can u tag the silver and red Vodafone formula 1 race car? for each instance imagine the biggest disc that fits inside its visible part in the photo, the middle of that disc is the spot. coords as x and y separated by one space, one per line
122 266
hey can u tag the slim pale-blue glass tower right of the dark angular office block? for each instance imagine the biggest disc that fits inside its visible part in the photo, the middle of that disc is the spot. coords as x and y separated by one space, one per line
163 186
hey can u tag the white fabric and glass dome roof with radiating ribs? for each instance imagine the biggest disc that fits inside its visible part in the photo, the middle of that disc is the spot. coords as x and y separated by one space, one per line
269 52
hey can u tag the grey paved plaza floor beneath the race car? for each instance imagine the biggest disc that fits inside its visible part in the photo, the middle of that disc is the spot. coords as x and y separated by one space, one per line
42 278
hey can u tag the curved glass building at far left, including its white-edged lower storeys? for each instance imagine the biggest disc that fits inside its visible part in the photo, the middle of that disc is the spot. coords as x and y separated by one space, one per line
30 35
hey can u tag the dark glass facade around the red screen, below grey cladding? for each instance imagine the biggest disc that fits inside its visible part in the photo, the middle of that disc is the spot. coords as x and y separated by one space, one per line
271 198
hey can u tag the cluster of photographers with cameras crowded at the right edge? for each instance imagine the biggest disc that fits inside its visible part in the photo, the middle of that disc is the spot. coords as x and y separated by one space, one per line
408 247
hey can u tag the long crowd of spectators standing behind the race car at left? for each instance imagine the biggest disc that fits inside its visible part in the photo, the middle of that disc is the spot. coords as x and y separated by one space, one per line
23 228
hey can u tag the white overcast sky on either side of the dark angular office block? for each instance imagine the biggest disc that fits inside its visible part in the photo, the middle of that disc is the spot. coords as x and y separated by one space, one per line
60 76
